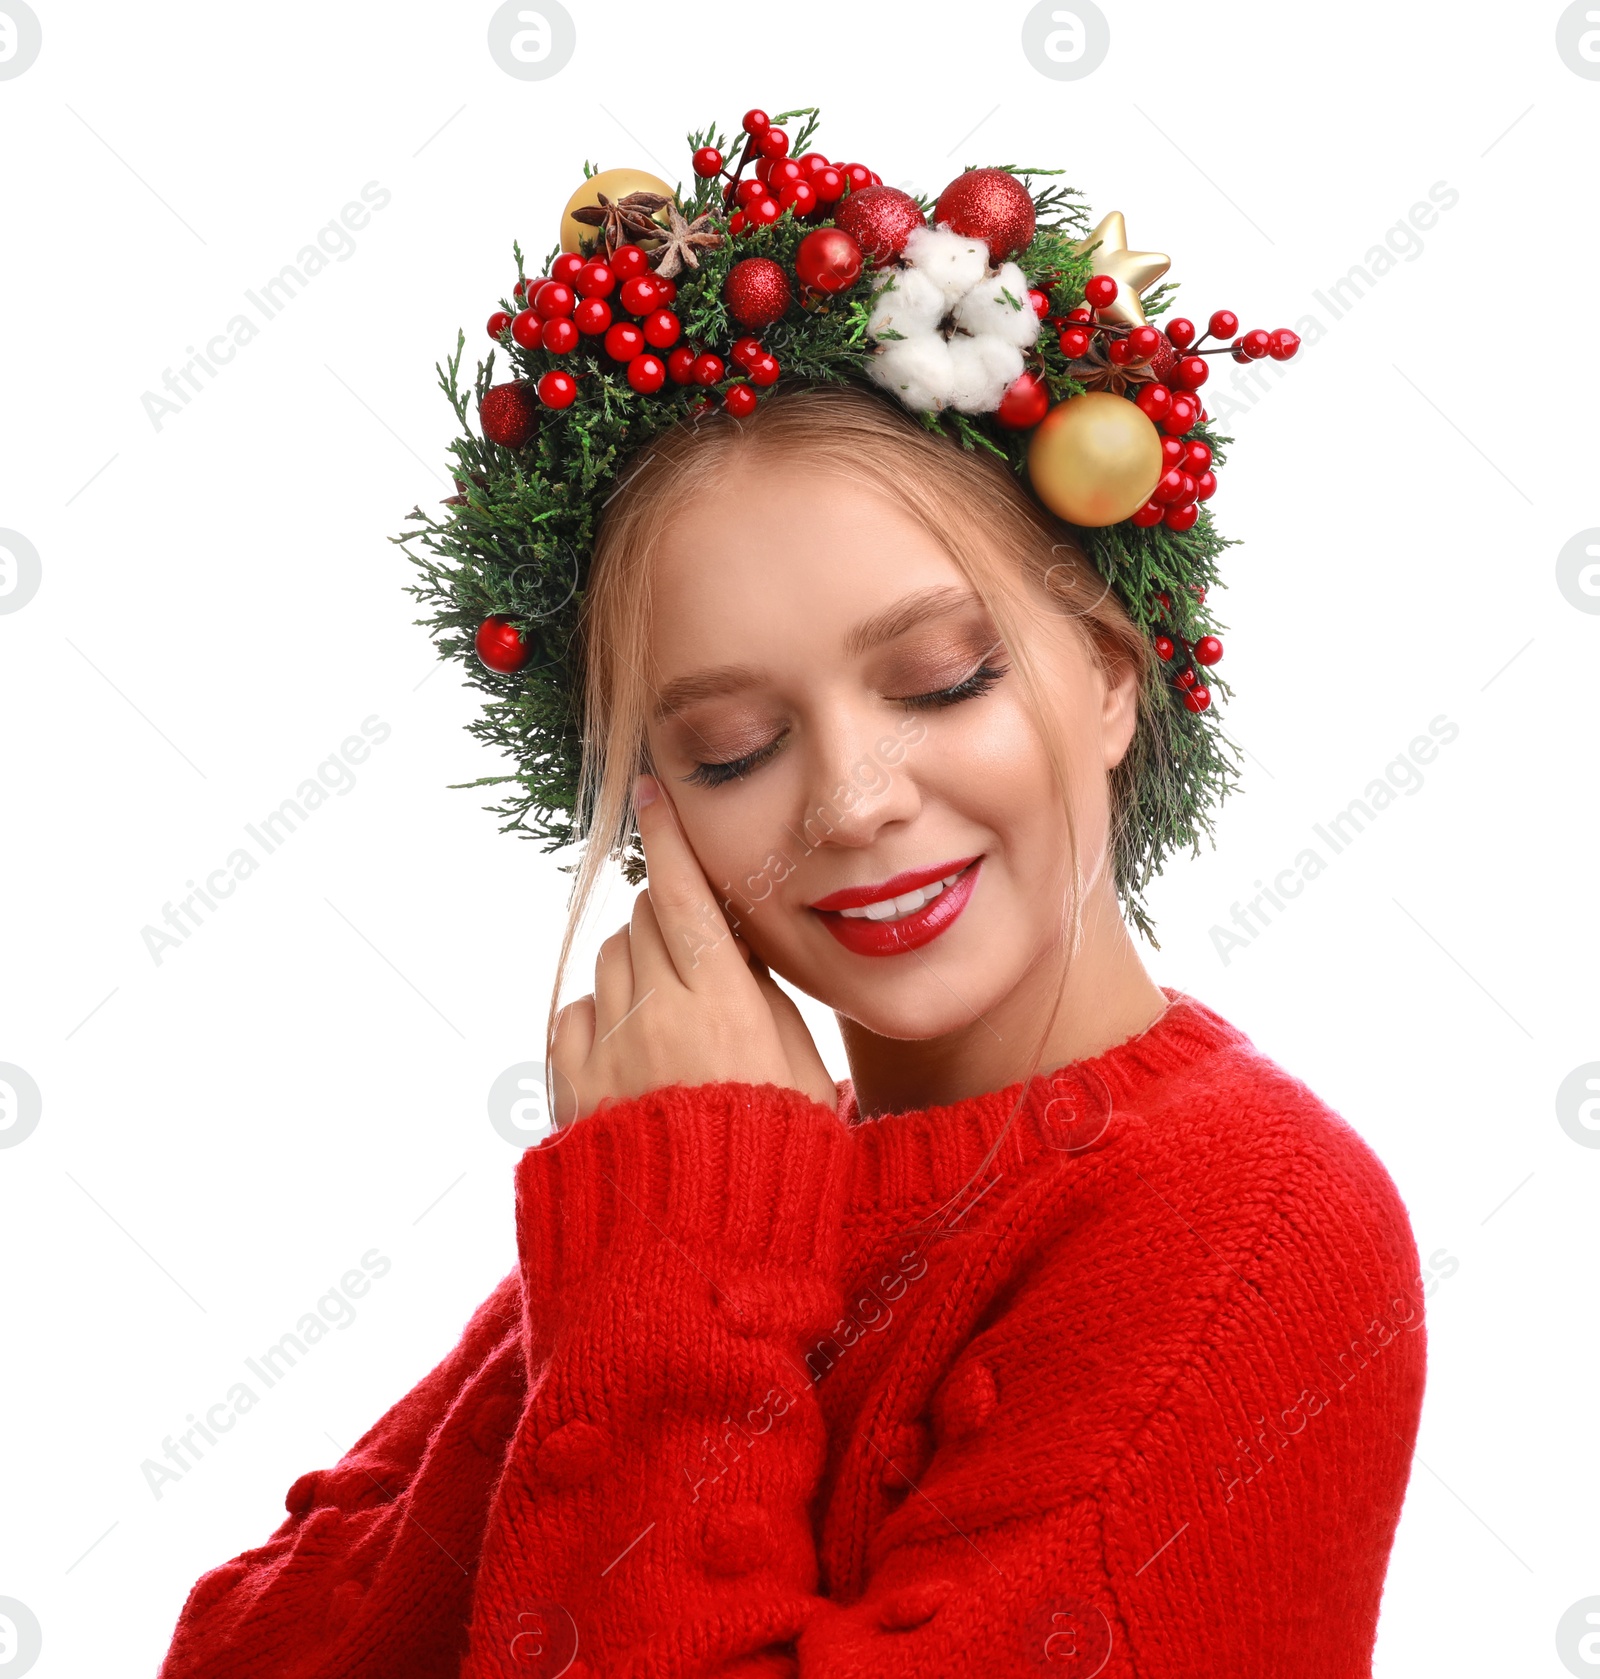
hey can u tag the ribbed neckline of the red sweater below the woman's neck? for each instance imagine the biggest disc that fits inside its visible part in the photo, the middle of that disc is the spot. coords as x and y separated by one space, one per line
933 1153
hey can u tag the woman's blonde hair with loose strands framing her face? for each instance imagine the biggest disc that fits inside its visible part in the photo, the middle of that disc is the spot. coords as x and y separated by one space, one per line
1003 543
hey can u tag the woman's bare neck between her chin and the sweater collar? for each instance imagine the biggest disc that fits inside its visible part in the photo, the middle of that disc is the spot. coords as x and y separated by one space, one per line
1106 1000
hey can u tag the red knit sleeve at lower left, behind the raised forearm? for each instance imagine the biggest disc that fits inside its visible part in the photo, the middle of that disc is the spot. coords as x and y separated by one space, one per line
404 1509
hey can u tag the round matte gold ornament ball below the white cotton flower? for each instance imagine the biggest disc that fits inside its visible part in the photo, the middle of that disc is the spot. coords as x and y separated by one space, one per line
1095 459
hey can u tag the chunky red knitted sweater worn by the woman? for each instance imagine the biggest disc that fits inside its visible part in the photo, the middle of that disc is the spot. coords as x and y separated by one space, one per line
776 1391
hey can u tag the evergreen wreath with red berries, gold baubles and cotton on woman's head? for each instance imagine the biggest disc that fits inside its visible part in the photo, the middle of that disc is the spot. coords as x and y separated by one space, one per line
995 313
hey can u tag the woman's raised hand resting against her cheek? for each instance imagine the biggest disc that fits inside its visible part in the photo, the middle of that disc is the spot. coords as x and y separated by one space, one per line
677 998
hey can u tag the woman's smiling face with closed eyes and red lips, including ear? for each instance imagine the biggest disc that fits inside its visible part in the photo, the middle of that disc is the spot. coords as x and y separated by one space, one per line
842 733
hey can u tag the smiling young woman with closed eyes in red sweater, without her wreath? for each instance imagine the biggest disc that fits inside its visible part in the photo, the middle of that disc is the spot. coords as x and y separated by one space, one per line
1069 1334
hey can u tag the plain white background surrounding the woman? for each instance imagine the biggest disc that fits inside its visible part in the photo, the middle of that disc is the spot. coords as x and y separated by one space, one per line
305 1080
